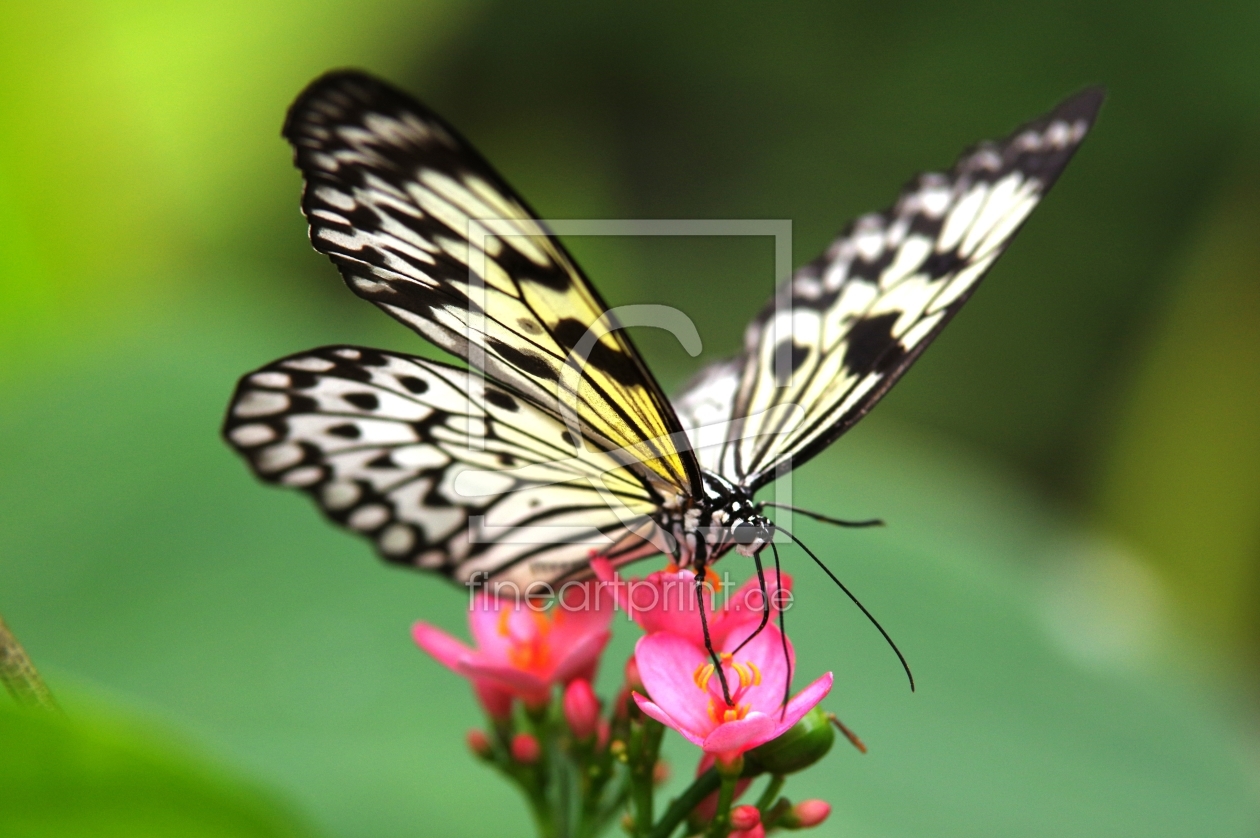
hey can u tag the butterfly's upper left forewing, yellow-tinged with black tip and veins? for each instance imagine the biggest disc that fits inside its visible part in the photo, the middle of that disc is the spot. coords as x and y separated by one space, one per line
420 225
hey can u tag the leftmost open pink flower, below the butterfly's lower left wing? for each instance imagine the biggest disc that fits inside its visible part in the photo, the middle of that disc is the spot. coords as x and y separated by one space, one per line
521 651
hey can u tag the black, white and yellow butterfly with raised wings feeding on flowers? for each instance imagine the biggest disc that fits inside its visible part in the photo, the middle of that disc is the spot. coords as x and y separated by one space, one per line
556 444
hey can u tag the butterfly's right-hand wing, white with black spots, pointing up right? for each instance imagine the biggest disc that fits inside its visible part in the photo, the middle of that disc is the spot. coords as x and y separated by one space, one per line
846 327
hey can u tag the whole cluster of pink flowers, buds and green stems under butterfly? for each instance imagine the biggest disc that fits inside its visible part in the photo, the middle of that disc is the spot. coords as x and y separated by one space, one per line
534 667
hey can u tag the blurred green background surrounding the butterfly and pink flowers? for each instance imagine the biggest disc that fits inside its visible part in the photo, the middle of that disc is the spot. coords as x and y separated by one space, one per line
1072 476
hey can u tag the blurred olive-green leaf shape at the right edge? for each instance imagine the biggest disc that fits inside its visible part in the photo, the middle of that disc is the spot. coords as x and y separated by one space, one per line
1183 474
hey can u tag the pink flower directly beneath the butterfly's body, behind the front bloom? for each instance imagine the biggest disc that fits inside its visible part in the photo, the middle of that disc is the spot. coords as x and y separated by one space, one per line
666 602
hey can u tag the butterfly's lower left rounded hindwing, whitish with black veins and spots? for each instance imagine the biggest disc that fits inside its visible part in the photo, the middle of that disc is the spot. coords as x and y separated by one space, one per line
437 468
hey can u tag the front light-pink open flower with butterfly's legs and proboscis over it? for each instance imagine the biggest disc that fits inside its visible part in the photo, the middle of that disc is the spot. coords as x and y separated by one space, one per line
686 694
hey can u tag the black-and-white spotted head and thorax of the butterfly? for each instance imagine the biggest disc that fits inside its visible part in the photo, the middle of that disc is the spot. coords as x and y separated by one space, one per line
724 517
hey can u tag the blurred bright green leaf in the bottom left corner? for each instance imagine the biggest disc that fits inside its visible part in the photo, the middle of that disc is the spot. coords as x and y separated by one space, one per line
95 776
